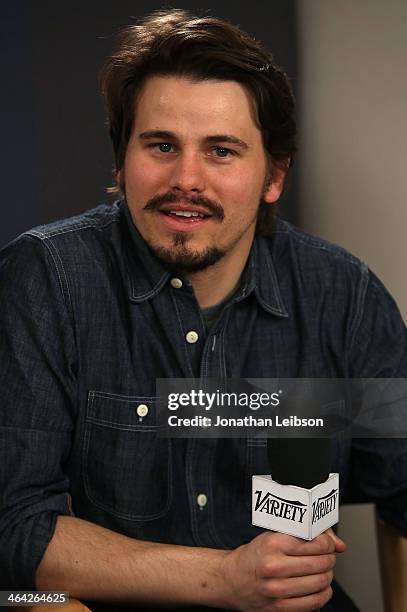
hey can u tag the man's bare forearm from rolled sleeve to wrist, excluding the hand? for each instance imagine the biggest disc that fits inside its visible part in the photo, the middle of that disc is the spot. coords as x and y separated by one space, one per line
94 563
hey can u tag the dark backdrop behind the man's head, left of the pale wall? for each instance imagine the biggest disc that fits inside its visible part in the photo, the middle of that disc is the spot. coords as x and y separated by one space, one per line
56 155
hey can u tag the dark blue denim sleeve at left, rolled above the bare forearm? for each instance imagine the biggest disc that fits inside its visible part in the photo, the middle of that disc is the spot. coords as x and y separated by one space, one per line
37 401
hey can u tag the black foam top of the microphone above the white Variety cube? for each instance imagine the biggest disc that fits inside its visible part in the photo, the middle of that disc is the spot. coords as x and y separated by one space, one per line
302 462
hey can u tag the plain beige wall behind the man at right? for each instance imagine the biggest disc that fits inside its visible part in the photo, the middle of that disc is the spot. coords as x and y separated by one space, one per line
353 169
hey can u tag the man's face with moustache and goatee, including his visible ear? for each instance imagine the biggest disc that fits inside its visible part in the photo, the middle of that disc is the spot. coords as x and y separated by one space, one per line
195 171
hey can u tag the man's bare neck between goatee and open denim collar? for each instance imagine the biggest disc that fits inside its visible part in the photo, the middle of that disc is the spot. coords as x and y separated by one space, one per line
217 282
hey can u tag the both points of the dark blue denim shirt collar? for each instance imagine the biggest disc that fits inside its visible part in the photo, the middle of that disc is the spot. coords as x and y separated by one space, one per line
147 276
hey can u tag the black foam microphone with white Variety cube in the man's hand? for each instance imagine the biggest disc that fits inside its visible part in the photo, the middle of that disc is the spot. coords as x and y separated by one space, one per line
300 496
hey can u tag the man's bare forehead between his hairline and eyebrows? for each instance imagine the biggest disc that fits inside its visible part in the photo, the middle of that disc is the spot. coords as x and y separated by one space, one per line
177 103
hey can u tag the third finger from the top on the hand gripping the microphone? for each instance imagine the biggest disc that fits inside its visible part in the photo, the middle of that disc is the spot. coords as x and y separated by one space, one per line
284 588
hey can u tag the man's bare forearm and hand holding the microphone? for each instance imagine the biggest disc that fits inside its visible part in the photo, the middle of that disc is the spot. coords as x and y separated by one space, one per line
94 563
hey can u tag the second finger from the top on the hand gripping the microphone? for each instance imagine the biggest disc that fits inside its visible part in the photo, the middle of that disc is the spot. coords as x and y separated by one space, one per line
281 566
